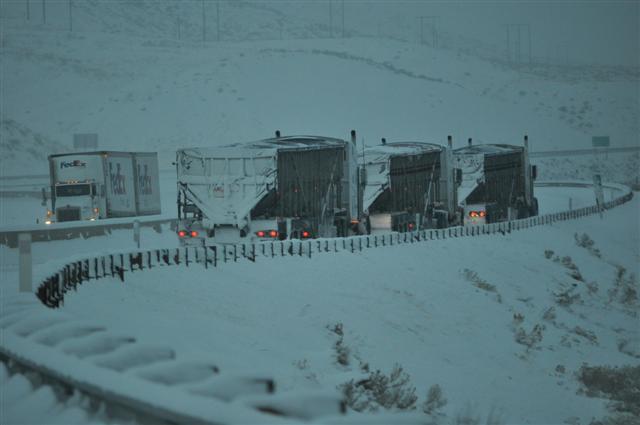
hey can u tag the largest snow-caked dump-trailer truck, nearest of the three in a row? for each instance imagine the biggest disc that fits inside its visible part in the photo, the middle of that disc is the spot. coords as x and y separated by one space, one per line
293 187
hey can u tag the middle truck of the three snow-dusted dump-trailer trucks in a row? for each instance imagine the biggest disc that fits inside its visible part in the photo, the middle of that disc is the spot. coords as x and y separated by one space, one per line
409 185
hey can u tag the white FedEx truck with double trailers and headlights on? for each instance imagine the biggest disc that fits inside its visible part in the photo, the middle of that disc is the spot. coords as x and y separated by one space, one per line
104 184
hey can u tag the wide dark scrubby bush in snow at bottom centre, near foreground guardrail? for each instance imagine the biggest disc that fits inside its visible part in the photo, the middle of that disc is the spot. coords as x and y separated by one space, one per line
381 391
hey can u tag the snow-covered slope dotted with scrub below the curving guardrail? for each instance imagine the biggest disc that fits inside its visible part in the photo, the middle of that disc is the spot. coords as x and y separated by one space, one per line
449 312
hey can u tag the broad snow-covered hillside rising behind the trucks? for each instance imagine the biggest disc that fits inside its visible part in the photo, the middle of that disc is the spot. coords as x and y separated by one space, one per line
157 91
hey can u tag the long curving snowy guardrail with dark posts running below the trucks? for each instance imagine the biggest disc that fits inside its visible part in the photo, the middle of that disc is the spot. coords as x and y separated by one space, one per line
52 289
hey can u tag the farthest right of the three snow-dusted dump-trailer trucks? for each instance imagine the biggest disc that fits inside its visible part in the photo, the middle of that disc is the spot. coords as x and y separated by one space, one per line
497 182
